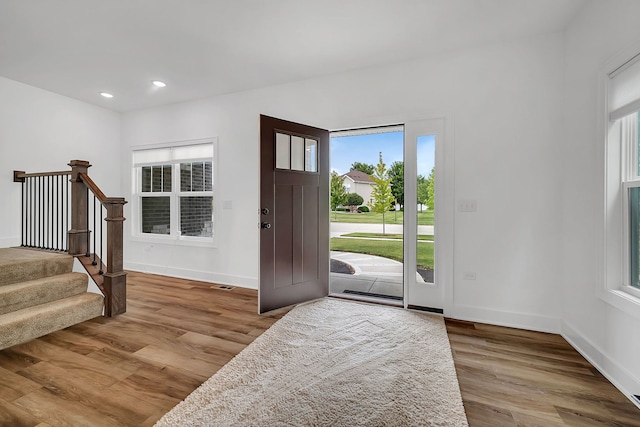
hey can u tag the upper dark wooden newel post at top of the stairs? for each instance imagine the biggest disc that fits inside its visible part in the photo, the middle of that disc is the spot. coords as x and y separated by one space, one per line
78 235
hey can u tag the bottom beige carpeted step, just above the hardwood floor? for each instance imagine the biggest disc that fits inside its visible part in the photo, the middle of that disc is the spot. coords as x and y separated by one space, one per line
29 323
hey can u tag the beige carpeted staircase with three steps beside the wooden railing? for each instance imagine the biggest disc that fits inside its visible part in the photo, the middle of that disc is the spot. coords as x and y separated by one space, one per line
40 294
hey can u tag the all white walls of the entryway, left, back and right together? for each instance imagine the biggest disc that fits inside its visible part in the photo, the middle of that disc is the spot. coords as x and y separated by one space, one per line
530 237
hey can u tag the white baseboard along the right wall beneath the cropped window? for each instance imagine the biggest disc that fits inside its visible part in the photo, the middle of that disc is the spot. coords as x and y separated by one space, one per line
619 376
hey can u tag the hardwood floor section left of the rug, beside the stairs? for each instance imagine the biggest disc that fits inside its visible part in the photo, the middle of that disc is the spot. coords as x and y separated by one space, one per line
131 369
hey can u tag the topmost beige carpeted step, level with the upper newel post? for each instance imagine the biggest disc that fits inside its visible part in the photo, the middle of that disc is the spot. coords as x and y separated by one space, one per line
20 265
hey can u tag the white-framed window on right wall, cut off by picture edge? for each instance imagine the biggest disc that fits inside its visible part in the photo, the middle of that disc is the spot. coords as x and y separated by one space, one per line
624 149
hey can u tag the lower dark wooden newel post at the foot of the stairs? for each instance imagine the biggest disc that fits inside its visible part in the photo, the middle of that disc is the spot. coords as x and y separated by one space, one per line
115 279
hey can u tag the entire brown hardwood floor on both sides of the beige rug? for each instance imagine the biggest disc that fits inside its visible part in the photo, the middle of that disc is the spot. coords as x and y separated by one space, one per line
130 370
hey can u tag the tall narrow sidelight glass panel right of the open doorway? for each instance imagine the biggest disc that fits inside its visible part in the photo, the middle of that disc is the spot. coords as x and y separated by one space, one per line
426 206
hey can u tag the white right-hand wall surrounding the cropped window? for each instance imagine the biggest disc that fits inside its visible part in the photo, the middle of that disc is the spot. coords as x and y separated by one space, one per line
606 335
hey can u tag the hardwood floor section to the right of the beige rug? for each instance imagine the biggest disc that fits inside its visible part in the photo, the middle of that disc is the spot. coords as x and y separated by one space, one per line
511 377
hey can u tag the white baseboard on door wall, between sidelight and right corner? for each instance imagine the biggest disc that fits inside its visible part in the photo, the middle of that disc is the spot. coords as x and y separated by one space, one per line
509 319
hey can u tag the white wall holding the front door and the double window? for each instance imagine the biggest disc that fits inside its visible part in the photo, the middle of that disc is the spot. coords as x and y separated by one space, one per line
506 103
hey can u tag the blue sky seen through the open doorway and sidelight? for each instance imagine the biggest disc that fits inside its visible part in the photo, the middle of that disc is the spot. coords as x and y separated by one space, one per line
365 148
